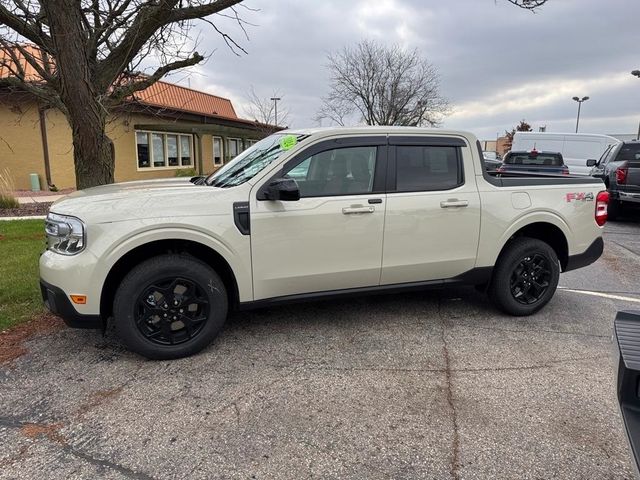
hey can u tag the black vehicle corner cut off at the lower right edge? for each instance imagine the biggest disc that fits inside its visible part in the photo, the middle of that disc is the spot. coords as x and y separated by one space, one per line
626 340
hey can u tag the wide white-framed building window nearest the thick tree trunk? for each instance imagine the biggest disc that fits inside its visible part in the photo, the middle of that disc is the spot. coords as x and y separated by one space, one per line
164 150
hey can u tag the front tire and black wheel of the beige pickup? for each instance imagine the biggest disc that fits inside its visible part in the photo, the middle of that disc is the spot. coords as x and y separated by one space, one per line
170 306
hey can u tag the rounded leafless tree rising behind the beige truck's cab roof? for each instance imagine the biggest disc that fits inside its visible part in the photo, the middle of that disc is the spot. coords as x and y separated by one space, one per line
384 86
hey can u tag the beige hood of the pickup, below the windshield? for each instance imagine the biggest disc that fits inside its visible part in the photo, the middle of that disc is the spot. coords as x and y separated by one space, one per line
175 197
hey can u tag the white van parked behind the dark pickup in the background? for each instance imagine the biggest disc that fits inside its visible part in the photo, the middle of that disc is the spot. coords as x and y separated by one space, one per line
576 148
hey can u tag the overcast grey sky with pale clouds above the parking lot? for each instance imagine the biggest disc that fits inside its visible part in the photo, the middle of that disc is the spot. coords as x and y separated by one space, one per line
498 63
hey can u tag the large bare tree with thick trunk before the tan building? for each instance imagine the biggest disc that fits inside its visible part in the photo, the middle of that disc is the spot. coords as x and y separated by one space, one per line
85 57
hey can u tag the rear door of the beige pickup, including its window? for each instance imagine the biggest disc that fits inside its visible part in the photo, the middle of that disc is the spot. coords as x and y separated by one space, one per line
433 210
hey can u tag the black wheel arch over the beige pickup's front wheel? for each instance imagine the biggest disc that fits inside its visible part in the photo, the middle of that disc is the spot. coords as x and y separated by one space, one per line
159 247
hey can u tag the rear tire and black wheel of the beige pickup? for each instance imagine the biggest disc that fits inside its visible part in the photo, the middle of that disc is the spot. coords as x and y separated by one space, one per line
525 277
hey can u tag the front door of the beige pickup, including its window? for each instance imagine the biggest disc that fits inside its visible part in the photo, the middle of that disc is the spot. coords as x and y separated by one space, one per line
330 239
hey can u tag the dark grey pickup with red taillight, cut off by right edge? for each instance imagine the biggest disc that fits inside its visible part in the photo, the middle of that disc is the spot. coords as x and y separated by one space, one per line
619 168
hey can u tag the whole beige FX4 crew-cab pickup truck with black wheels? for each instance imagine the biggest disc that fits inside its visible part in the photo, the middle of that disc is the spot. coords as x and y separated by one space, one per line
167 263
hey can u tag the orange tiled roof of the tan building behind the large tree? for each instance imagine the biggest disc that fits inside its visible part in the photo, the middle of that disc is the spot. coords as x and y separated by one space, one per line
160 95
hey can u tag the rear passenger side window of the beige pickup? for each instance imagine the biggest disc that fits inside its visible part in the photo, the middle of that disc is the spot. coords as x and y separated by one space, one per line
420 168
